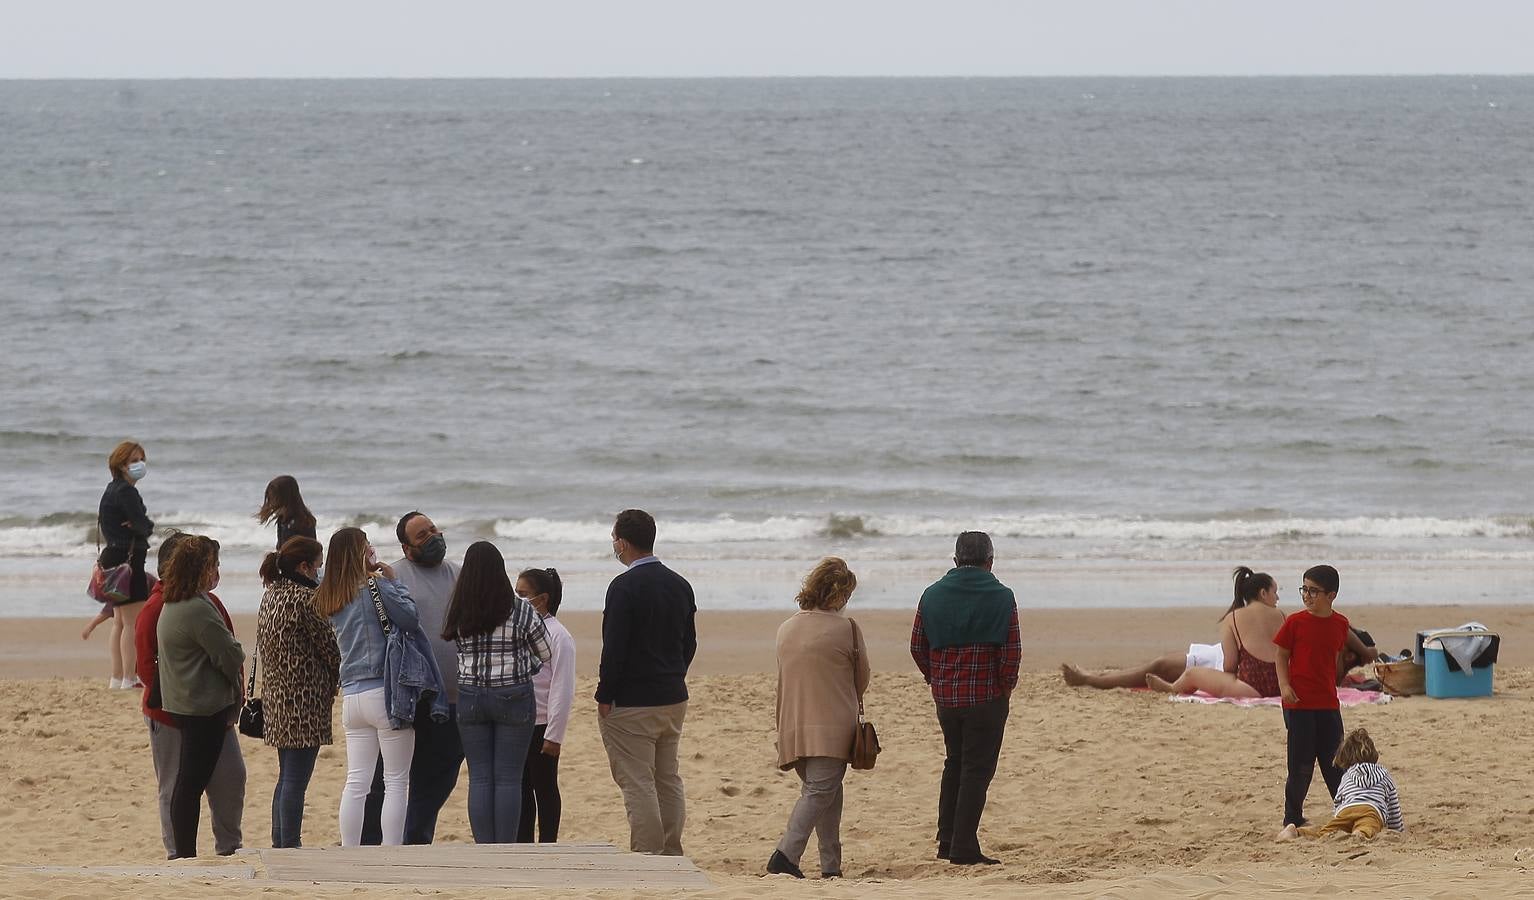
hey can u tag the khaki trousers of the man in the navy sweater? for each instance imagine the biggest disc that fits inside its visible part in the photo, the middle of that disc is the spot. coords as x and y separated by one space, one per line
642 751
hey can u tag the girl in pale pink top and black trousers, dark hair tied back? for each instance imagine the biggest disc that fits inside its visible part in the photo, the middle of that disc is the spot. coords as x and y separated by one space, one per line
553 694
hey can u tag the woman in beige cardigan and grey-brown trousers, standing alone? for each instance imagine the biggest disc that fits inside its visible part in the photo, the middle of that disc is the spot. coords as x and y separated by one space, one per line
823 674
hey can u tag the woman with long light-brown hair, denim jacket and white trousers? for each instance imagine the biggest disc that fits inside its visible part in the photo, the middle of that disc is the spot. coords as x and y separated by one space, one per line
346 594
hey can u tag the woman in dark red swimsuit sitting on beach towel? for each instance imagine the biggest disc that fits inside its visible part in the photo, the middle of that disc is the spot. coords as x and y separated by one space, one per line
1246 634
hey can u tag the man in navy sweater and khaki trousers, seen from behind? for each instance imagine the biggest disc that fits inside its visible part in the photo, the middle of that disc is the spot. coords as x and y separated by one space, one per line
648 642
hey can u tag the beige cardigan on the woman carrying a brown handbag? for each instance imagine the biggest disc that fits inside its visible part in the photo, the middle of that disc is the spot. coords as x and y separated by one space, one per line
817 703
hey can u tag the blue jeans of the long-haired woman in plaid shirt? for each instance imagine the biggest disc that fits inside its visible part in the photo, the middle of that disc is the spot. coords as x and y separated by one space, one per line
496 726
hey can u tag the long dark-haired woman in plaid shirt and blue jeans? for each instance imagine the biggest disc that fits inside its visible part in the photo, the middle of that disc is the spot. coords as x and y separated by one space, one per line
502 645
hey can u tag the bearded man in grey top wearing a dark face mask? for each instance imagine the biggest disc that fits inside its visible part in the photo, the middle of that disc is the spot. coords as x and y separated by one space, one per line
439 754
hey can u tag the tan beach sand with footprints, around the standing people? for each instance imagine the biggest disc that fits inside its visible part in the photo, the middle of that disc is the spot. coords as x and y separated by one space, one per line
1099 793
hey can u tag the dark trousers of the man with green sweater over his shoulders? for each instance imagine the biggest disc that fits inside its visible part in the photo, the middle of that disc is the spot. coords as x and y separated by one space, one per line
973 740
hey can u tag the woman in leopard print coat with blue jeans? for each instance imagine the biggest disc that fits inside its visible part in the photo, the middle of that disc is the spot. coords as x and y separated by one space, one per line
300 674
